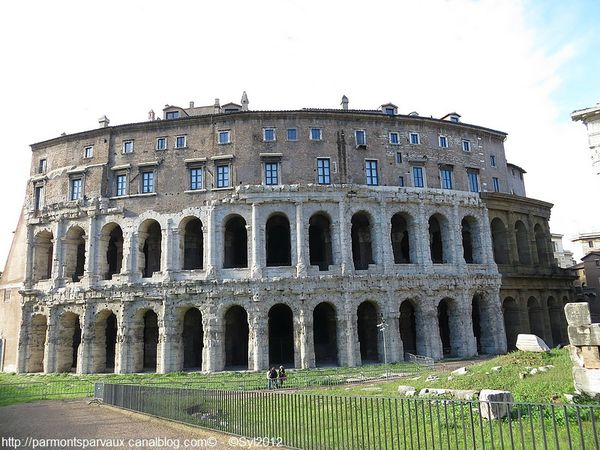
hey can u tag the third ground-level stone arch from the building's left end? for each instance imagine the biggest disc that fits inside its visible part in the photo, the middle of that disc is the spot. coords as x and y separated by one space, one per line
104 343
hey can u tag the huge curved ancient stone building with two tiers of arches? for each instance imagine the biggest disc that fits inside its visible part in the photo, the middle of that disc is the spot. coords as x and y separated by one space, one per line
224 238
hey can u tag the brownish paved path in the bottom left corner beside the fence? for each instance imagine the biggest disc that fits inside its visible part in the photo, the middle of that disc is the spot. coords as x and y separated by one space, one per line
64 419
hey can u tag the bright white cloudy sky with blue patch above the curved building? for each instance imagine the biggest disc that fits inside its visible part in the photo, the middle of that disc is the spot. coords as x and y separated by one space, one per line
513 65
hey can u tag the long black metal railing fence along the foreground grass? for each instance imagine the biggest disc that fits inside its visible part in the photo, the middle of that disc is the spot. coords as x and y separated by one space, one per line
343 422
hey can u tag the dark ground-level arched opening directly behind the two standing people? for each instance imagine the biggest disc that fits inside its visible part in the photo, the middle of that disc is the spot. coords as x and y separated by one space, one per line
281 335
